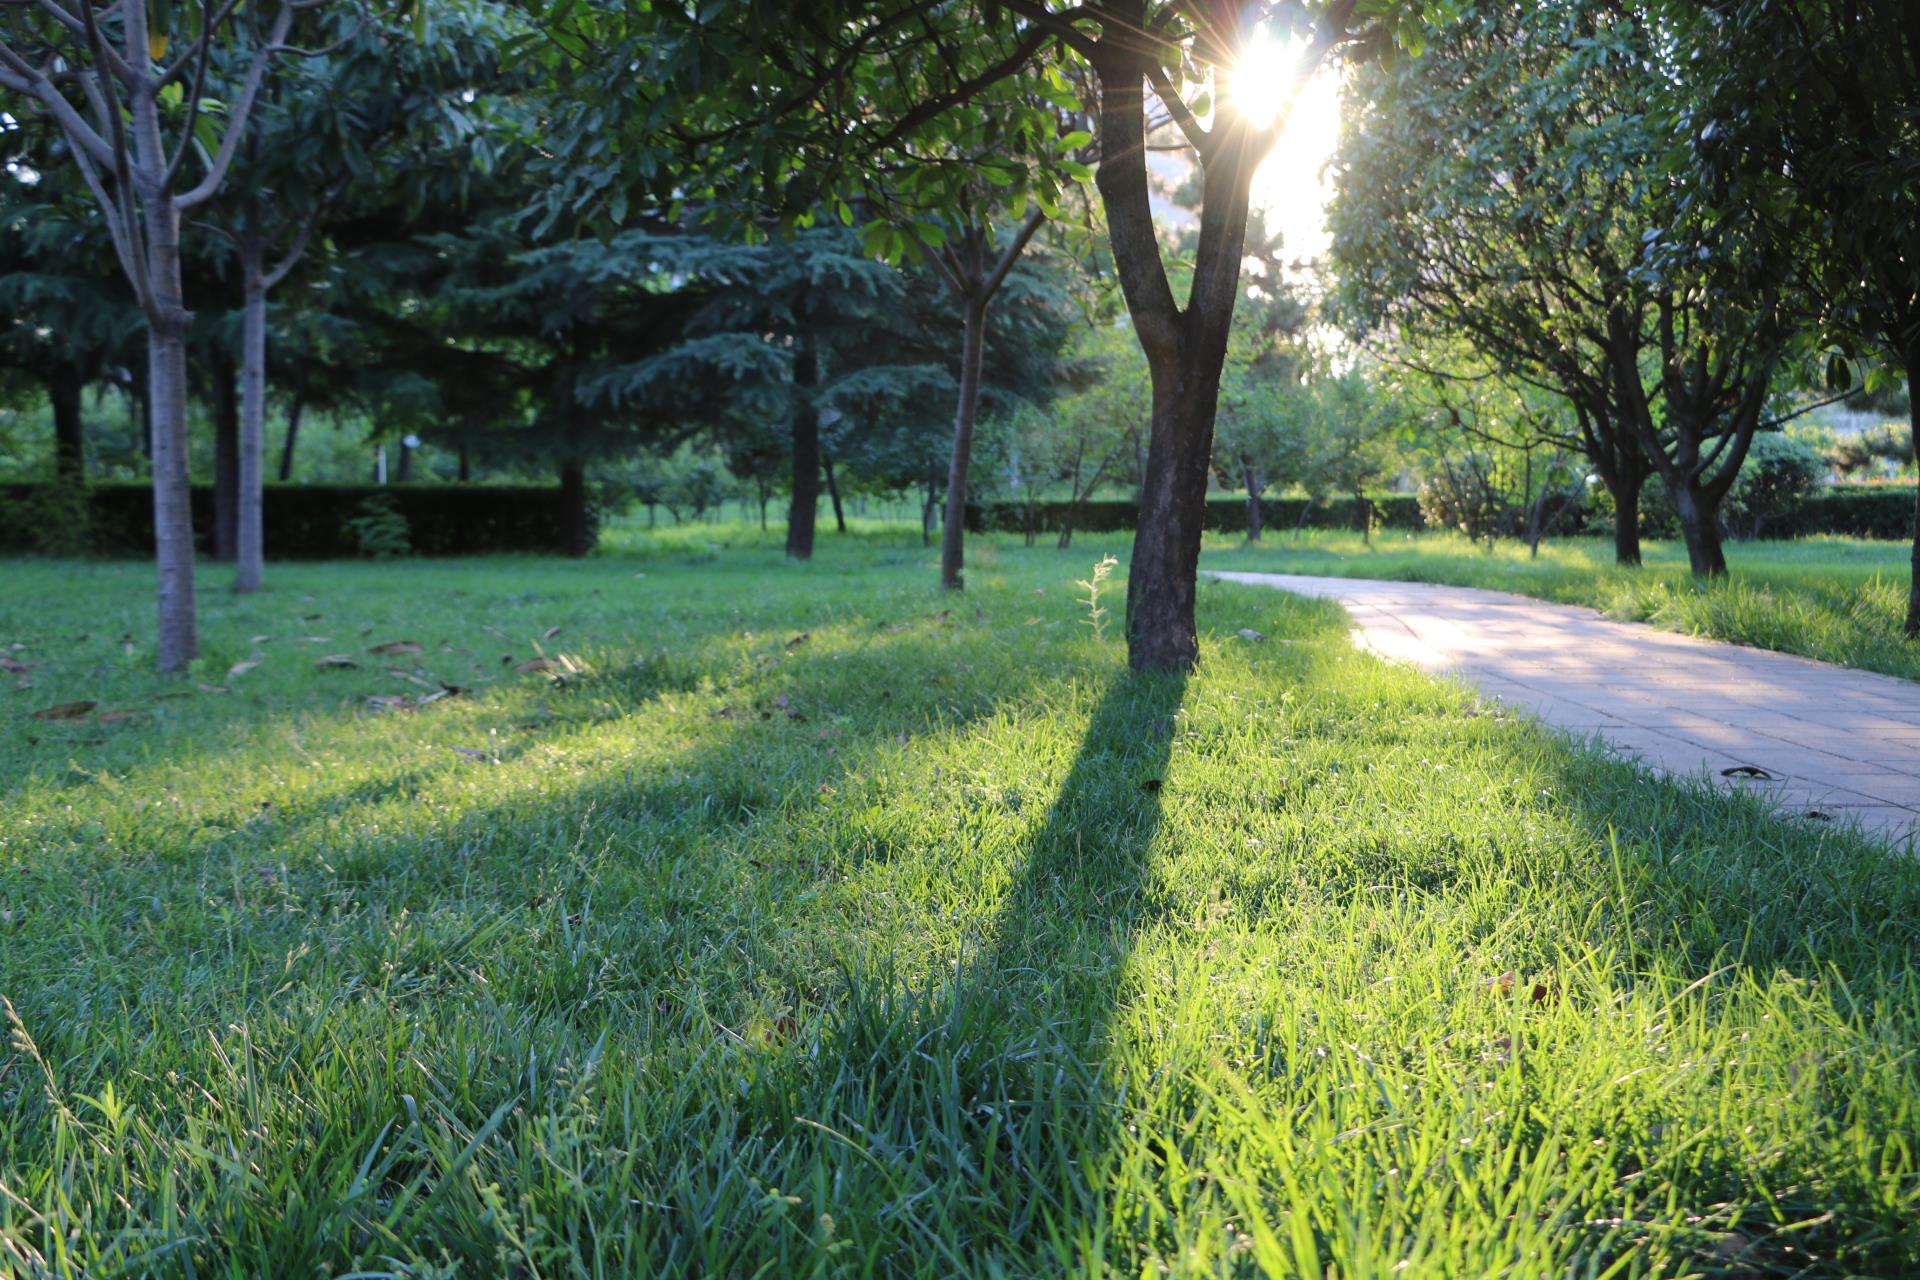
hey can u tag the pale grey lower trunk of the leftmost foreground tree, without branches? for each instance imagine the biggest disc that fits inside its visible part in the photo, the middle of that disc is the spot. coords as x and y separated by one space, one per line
178 632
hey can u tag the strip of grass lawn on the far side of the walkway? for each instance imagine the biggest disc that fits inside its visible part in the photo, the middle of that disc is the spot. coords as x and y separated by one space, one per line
1838 600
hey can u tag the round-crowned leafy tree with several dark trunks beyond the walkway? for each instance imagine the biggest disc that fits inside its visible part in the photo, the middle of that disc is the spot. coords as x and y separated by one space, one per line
1524 187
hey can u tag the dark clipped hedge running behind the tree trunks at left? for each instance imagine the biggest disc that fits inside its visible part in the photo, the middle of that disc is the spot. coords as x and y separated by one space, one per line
310 523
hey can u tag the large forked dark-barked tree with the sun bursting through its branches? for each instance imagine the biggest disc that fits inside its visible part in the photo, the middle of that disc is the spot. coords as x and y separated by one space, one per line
788 110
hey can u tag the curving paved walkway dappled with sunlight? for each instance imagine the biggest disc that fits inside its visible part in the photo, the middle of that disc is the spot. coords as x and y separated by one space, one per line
1825 740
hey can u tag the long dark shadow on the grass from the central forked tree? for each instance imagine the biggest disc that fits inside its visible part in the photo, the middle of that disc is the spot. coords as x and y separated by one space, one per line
994 1085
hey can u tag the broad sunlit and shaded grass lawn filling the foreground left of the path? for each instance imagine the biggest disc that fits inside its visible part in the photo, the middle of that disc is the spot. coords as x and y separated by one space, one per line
815 924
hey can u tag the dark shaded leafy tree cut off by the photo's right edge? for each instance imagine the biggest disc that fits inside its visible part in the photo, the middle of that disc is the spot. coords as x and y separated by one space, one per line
1812 126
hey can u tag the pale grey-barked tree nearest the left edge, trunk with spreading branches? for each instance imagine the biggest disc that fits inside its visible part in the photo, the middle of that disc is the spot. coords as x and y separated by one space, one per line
128 89
